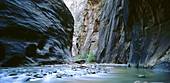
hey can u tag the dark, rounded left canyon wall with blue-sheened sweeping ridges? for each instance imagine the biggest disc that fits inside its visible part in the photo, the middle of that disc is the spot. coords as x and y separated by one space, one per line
37 31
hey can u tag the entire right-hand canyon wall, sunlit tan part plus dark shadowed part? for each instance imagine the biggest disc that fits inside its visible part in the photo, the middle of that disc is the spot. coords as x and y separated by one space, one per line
129 32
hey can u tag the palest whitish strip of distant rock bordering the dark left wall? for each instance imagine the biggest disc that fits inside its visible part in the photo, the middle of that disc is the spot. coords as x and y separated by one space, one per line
77 8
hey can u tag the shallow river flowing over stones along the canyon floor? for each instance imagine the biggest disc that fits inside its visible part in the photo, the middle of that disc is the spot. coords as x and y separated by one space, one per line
81 74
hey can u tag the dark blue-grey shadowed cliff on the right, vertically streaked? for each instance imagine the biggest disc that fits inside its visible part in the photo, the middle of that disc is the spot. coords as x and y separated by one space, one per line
135 32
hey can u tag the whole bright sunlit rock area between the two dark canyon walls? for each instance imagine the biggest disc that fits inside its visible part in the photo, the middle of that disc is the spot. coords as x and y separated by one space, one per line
87 21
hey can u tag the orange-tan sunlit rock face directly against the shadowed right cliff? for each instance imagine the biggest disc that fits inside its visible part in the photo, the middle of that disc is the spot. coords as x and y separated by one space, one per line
89 33
